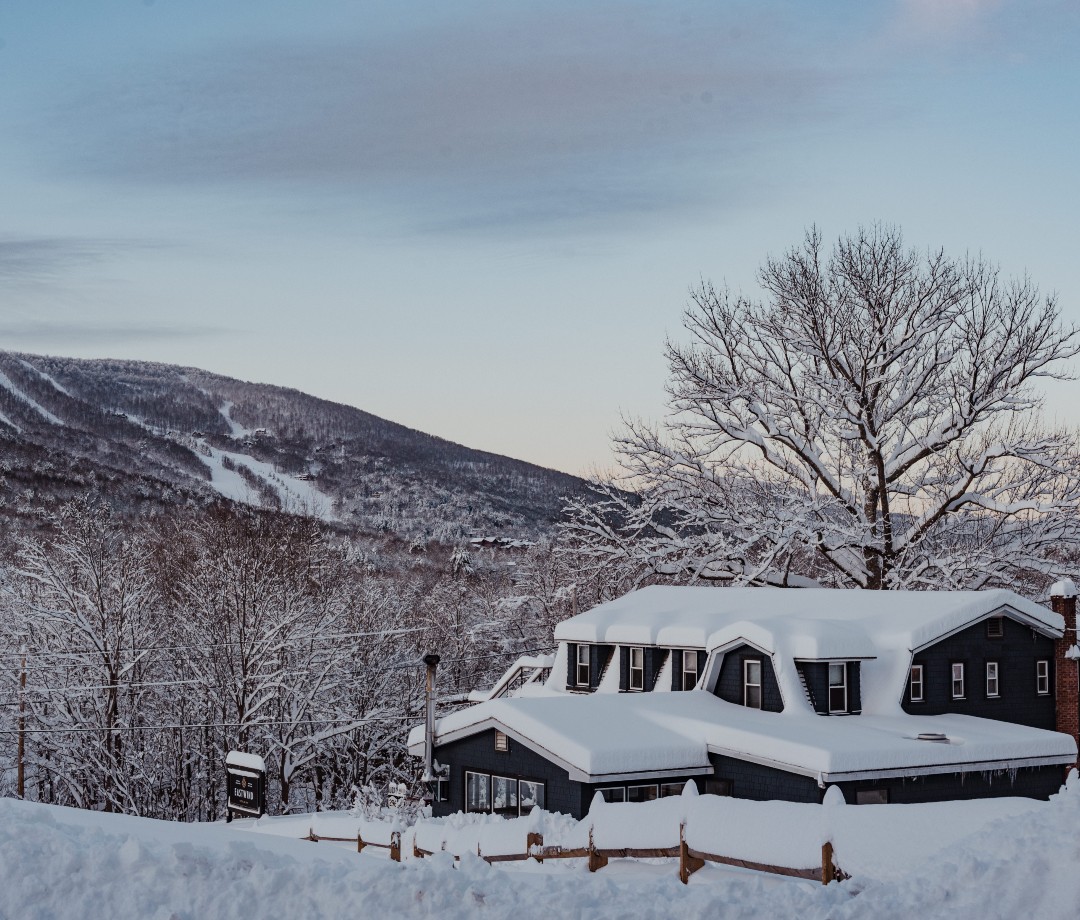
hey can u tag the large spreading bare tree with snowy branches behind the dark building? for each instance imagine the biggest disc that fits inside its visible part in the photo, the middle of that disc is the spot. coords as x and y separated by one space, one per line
871 424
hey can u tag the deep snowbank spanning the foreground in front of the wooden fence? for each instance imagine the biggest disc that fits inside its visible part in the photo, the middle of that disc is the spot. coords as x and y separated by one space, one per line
65 863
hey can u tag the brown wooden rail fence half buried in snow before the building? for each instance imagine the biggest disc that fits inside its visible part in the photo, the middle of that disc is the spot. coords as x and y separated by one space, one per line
690 859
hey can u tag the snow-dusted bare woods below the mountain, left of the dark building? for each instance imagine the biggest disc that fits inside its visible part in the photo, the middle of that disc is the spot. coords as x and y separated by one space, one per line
136 655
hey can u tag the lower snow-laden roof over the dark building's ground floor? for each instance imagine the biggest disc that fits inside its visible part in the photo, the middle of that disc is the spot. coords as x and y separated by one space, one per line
605 737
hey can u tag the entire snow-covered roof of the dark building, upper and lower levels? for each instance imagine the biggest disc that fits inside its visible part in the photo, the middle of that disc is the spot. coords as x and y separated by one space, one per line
607 735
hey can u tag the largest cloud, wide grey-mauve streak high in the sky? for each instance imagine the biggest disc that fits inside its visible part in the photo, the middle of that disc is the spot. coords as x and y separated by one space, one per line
522 118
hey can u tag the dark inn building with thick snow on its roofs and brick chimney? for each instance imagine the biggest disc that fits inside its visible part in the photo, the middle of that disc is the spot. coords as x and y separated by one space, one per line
776 694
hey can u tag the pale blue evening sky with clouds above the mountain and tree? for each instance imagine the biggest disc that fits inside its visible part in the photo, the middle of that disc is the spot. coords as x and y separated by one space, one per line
482 220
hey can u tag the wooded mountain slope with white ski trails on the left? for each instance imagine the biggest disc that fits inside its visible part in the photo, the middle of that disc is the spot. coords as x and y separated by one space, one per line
154 434
